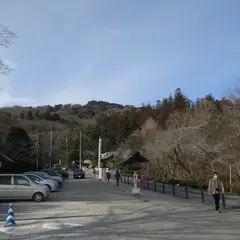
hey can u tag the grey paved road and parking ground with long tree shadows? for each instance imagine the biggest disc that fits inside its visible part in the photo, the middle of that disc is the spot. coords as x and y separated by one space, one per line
88 210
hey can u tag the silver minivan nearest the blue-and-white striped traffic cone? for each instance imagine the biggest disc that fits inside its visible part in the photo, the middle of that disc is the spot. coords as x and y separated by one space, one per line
19 186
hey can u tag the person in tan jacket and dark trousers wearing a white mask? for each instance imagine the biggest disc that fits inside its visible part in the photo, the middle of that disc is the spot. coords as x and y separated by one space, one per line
215 188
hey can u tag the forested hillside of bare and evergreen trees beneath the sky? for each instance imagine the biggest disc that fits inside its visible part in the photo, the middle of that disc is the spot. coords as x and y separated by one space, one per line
180 137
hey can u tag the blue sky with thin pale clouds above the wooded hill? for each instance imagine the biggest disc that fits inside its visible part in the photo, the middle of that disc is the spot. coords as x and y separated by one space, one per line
129 52
